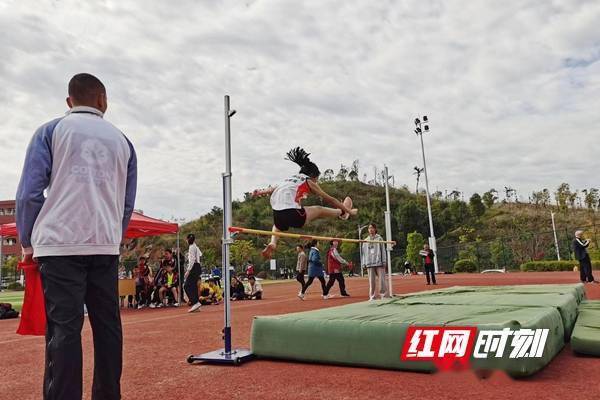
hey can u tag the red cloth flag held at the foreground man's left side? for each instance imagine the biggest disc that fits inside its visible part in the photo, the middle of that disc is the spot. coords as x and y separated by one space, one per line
33 313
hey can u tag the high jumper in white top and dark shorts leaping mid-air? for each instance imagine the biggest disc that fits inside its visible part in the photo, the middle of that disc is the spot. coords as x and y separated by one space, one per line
287 197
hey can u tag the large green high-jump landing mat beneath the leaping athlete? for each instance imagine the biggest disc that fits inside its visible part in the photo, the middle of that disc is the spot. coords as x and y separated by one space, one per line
372 334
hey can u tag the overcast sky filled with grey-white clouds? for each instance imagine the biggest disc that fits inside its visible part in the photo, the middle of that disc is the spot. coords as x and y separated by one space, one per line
512 89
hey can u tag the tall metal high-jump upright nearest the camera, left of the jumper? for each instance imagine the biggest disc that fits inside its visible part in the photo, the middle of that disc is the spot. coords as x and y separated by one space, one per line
227 217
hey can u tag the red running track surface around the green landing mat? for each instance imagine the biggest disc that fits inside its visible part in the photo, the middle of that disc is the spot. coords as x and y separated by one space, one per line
157 342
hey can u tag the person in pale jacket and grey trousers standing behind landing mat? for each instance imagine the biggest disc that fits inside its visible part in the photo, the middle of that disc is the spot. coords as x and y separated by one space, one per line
374 260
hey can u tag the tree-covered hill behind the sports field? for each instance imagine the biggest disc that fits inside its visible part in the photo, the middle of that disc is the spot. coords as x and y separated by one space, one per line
492 232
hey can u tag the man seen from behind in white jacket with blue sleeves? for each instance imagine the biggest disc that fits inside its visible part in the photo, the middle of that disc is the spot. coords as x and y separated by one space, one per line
89 170
